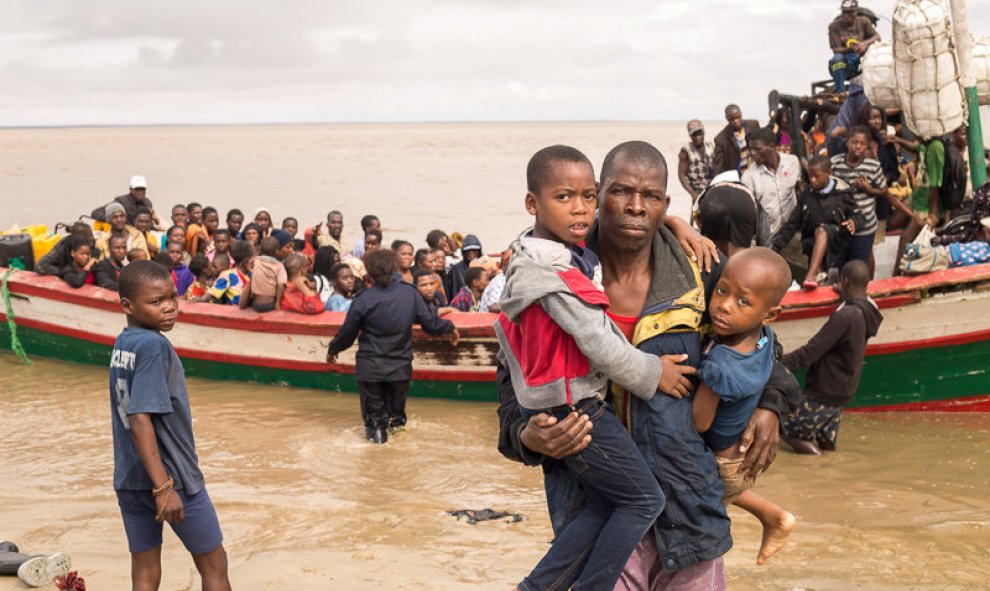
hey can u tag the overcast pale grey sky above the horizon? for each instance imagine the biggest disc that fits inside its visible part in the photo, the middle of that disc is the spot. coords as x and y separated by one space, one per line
72 62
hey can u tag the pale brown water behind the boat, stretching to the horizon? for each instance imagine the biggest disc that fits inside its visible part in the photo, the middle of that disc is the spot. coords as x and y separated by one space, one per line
456 176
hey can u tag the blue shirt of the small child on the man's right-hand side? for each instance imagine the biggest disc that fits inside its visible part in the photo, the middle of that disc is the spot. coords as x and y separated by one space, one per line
738 379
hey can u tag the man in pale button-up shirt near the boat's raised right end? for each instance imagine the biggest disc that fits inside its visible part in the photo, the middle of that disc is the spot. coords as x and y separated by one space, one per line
773 179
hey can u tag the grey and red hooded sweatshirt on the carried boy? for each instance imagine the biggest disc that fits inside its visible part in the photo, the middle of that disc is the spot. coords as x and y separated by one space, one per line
555 337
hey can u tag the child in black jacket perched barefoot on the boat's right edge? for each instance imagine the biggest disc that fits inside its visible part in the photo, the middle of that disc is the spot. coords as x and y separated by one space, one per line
826 217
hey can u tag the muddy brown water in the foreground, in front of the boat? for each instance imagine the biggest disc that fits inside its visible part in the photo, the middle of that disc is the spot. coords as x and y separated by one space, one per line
304 503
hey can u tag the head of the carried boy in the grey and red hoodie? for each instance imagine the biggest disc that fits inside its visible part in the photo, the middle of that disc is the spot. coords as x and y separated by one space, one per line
561 194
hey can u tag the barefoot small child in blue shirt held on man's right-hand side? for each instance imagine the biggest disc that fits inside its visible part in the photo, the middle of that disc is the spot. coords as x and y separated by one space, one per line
734 370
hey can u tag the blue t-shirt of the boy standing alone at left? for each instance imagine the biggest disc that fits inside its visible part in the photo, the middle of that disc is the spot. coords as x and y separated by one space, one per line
146 377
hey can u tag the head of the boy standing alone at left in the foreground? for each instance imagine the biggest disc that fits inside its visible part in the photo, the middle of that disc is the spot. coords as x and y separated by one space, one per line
148 296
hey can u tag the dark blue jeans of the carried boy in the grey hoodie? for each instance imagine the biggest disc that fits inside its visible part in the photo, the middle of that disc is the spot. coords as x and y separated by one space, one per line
622 501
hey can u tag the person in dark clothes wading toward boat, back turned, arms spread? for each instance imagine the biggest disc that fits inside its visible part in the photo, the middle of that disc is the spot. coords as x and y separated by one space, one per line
383 316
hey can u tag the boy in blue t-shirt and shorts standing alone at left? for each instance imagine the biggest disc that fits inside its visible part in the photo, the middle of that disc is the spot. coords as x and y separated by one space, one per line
156 471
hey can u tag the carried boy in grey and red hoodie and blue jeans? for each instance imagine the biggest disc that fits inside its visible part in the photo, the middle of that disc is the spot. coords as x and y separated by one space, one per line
561 349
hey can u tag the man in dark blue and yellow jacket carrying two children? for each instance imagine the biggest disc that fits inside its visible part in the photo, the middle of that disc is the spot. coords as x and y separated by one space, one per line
657 299
